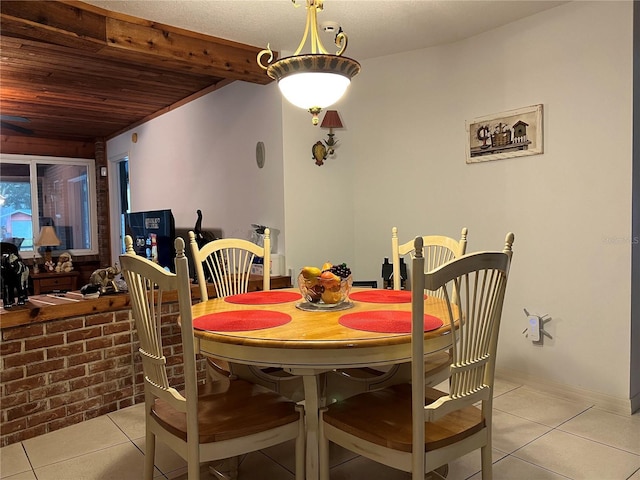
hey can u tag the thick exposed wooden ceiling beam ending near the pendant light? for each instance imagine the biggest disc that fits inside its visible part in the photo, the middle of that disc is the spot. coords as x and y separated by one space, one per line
133 40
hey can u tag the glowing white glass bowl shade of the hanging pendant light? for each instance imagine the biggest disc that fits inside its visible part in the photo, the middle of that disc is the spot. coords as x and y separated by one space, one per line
313 89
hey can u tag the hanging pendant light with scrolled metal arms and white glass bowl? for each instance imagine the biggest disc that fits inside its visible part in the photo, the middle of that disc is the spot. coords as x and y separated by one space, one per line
317 80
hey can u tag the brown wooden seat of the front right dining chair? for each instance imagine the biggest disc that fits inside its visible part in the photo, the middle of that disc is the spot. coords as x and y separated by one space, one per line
383 417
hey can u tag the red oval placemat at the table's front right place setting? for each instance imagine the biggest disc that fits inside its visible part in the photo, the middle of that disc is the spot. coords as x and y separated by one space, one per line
386 321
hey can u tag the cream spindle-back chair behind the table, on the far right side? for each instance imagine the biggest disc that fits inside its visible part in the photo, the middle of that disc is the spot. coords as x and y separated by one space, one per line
437 250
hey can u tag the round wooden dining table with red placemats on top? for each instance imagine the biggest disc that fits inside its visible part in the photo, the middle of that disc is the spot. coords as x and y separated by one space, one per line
278 328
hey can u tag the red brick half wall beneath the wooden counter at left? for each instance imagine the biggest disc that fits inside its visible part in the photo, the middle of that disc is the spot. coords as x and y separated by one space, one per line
61 372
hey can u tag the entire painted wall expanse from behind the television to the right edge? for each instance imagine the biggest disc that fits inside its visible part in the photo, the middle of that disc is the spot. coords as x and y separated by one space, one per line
401 162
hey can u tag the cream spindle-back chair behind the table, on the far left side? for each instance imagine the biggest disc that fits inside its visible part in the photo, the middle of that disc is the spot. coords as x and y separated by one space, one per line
227 262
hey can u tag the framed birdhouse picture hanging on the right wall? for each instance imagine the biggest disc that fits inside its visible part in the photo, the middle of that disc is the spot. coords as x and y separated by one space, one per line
513 133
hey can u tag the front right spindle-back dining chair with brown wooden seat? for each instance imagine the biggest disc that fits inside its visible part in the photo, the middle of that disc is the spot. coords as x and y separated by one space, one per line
418 429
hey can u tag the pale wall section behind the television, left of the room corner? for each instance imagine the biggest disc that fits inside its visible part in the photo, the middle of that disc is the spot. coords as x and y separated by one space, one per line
203 156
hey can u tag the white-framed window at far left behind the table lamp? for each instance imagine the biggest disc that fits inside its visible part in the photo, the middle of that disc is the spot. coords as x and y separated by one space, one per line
39 191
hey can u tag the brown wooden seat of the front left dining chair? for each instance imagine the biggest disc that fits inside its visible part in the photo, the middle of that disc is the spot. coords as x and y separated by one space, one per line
238 410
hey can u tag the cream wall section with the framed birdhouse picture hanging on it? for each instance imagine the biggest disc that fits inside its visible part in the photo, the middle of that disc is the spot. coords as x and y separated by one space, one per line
570 208
